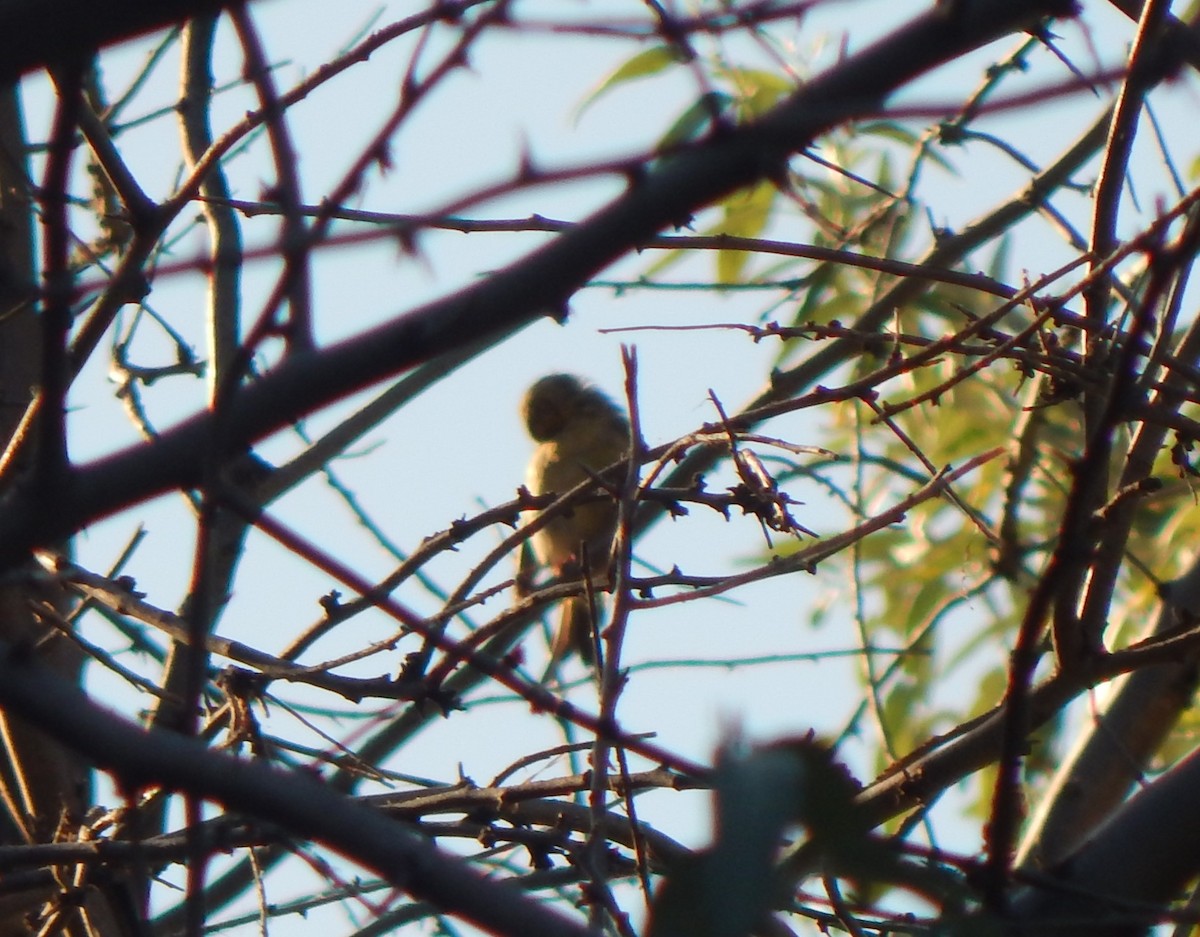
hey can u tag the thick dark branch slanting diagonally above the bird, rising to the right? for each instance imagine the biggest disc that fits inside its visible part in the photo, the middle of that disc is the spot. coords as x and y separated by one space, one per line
543 283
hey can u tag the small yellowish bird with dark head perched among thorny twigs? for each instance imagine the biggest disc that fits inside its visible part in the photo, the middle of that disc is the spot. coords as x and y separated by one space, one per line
580 434
